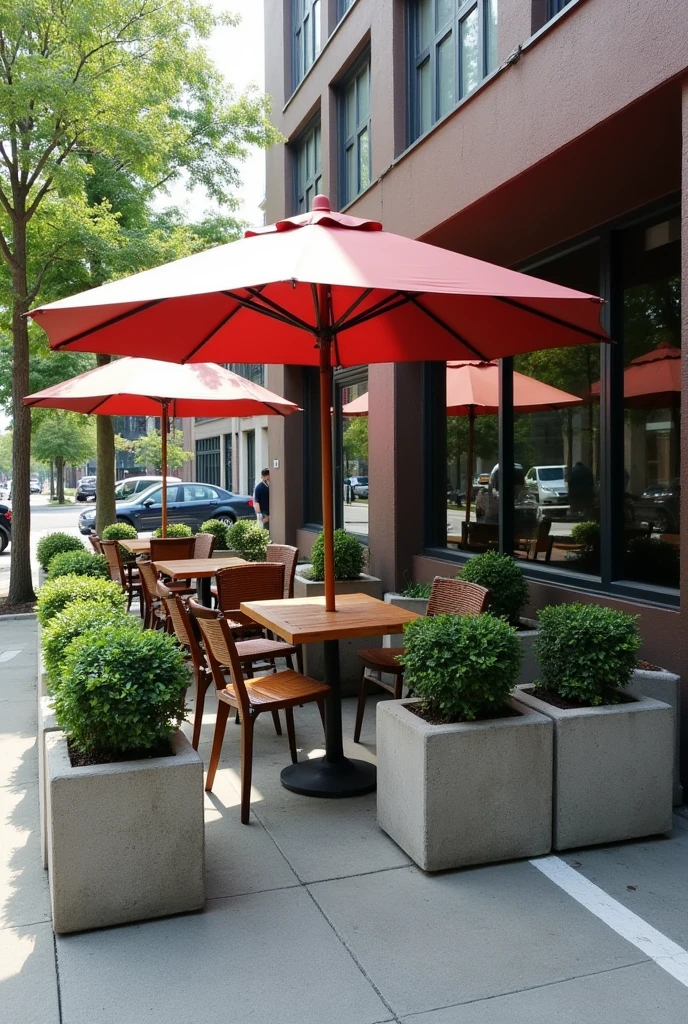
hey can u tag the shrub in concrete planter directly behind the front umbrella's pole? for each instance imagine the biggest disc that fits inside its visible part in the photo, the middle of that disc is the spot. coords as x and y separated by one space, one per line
351 579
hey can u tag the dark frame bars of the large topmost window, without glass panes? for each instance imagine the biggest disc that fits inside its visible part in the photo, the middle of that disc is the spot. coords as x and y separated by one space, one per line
418 59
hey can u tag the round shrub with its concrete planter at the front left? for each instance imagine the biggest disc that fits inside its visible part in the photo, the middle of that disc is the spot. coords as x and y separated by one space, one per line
124 786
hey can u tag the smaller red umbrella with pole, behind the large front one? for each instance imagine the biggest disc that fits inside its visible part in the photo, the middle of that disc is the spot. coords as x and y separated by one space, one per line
149 388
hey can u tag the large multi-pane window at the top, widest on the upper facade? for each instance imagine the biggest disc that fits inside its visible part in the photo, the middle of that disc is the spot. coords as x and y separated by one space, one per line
453 48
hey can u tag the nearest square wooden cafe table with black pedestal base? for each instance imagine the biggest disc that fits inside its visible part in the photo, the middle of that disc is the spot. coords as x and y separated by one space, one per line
306 621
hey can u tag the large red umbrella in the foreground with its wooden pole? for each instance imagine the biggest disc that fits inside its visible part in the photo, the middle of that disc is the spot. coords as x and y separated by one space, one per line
324 289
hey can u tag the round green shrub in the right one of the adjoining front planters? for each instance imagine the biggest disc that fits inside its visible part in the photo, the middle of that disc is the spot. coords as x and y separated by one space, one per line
586 652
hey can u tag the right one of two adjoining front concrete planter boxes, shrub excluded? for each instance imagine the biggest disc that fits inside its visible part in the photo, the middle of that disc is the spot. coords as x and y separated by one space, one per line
613 771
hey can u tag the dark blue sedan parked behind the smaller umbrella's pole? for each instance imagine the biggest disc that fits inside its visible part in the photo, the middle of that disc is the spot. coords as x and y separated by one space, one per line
189 503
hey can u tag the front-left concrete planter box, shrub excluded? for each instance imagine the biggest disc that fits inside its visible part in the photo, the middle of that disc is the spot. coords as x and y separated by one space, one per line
125 841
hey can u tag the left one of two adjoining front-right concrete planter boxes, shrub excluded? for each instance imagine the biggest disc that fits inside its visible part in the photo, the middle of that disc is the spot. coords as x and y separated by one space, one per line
471 793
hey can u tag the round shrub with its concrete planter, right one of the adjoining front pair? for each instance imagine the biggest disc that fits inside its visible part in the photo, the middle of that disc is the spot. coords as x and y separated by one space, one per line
614 753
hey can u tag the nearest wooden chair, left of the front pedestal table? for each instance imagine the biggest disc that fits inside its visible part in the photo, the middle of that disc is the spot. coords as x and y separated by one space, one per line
251 698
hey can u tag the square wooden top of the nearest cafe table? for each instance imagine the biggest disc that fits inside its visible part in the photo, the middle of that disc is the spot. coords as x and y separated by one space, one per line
305 620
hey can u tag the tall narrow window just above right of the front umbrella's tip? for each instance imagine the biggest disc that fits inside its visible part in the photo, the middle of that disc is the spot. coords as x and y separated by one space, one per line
356 133
